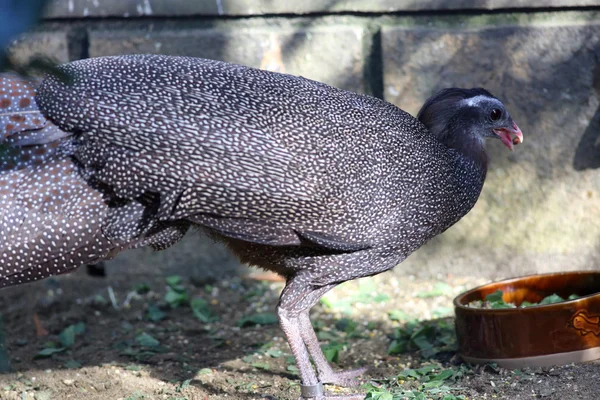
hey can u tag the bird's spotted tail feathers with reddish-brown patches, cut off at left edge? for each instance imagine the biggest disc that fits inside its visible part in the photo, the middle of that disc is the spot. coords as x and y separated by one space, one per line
50 216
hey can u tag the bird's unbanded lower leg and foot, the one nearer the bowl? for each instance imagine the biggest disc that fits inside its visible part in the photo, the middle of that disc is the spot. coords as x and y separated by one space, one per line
325 372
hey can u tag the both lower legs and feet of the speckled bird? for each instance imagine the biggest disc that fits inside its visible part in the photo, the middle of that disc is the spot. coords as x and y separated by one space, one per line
296 299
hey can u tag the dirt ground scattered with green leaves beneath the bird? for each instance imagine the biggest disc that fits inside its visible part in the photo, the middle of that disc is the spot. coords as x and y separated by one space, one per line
141 346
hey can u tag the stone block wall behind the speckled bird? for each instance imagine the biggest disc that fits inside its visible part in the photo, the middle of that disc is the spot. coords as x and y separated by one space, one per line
540 208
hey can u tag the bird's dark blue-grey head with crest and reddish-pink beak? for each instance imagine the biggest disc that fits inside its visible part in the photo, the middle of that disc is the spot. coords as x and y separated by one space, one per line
457 116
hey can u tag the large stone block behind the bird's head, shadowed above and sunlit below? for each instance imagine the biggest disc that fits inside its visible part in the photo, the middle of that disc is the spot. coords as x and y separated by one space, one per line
540 204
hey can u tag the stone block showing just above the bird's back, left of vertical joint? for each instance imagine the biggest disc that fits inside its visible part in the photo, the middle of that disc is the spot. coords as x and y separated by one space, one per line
333 55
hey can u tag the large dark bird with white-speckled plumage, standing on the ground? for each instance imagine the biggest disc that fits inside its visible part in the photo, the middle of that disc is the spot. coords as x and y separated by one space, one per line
315 183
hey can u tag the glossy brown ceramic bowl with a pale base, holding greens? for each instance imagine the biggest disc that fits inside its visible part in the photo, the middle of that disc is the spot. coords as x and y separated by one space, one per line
536 336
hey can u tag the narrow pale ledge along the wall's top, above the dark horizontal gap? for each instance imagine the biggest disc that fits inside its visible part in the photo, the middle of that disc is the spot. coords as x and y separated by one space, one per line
136 8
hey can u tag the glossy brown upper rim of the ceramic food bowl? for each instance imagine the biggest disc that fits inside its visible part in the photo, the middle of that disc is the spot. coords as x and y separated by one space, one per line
463 308
